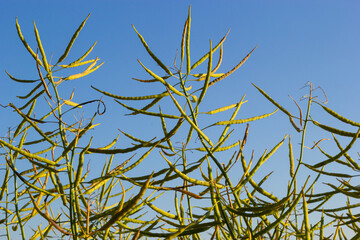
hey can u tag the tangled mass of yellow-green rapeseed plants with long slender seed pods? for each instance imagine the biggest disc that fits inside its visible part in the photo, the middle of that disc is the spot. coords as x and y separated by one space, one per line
46 160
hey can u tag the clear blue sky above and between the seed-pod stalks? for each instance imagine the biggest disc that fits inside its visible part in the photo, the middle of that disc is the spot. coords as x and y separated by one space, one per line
298 41
